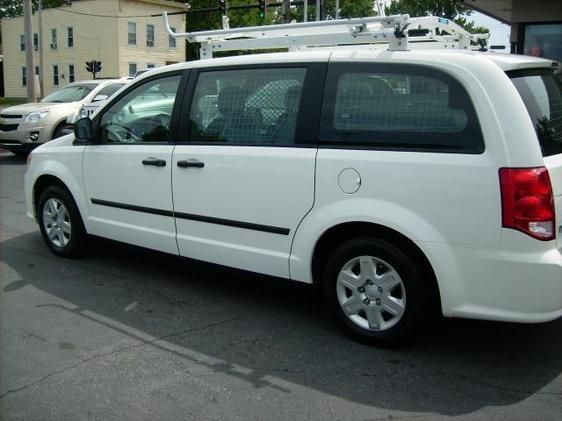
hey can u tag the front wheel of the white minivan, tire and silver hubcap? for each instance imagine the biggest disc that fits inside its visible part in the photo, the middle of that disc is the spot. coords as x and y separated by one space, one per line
60 222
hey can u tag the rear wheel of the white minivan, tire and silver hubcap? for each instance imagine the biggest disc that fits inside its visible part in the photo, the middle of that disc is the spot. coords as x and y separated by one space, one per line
375 290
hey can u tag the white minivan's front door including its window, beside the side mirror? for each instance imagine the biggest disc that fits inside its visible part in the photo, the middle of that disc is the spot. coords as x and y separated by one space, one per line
127 170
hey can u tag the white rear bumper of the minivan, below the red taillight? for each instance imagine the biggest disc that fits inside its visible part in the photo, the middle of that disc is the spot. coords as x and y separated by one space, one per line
518 282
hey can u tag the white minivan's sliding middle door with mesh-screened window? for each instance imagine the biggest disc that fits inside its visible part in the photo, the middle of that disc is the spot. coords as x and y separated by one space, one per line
244 178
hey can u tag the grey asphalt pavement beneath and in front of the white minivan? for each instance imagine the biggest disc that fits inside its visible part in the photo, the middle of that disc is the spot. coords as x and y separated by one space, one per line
124 333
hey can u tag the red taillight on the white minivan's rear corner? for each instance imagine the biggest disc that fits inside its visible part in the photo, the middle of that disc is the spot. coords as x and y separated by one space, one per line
527 201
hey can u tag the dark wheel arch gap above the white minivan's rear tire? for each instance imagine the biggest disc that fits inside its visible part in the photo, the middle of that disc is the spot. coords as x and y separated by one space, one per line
341 232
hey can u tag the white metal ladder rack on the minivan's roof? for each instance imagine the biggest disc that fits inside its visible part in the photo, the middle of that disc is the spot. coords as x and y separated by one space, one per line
391 32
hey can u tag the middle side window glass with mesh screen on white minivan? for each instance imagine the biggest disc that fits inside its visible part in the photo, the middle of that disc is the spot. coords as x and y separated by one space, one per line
256 106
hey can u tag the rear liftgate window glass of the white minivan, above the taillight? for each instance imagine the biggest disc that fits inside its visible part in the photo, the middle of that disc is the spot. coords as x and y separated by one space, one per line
541 92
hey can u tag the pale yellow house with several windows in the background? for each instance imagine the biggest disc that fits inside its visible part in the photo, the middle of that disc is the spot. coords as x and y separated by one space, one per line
121 34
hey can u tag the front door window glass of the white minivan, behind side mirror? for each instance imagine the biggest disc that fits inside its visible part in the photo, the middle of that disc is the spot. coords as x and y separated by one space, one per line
144 114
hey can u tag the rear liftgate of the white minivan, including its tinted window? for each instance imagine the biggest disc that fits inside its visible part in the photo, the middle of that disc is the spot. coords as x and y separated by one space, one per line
541 91
